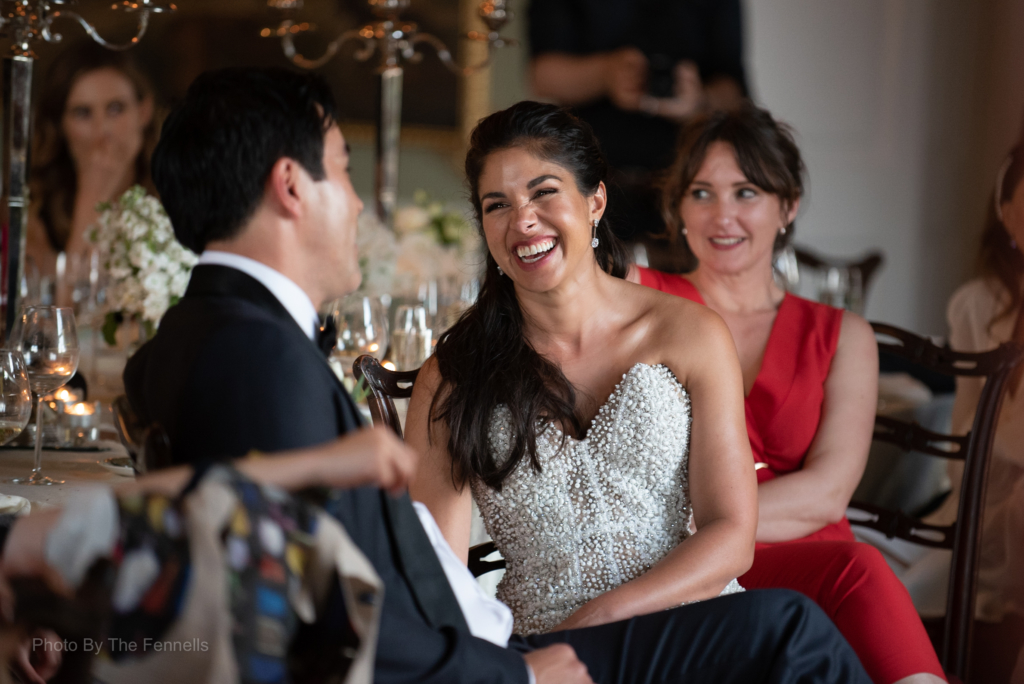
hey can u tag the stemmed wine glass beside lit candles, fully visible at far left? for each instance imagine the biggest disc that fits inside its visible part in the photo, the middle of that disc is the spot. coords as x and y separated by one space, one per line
50 348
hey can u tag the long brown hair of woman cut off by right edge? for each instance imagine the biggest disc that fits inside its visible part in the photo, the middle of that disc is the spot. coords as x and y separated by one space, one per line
1000 260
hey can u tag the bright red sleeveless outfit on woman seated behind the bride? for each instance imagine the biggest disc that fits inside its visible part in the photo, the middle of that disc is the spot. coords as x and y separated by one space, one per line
848 580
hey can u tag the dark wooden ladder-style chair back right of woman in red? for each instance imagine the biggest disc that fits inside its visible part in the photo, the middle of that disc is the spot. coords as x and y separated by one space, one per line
974 449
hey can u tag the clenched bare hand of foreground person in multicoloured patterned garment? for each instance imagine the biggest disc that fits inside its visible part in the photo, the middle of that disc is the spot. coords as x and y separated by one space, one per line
373 457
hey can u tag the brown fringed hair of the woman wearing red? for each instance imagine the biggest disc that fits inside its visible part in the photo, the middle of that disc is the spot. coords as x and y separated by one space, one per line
765 152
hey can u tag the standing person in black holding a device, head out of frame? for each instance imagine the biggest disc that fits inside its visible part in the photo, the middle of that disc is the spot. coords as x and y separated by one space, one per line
635 70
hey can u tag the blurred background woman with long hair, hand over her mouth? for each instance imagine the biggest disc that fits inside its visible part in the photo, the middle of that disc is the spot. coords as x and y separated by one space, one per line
95 132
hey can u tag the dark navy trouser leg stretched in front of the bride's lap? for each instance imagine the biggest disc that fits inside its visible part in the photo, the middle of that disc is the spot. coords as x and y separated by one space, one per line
772 635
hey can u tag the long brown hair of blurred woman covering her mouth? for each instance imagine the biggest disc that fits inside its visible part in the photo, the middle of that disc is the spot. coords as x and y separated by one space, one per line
54 182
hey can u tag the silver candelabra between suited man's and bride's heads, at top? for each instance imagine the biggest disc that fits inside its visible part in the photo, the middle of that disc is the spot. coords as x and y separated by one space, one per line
395 41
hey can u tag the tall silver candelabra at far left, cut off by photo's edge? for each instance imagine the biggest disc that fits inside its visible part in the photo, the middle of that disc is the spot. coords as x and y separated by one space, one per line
26 23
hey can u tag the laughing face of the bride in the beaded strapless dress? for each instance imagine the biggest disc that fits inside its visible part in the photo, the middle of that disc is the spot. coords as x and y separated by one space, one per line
537 223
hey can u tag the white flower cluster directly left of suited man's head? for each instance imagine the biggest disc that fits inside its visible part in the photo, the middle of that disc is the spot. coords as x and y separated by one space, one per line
149 270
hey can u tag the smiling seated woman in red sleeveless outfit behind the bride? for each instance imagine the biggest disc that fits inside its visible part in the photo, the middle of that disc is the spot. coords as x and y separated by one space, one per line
810 378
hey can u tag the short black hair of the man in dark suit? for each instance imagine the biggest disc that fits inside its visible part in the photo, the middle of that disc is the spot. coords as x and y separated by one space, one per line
219 147
